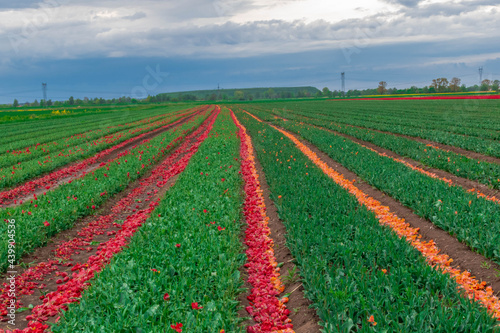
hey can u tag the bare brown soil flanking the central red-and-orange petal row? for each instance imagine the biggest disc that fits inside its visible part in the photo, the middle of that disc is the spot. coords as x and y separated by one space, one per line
304 318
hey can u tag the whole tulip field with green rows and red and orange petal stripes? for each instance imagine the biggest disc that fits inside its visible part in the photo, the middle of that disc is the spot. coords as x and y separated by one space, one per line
289 216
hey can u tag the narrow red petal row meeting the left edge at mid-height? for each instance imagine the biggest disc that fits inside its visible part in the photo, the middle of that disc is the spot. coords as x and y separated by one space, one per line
49 180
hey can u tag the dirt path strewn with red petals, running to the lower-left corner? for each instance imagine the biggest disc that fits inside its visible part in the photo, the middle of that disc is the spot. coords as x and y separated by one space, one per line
54 264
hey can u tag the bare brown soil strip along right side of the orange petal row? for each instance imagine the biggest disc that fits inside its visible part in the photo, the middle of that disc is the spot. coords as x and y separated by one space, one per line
463 257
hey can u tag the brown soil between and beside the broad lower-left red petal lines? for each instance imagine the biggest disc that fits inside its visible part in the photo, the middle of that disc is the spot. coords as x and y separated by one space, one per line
46 253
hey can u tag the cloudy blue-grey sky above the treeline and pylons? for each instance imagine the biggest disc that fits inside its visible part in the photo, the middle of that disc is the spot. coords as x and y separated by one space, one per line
110 48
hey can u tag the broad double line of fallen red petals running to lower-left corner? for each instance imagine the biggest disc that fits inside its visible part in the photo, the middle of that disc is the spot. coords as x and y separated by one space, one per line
71 286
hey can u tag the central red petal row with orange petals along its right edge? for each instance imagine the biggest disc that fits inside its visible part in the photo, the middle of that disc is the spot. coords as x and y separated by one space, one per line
266 308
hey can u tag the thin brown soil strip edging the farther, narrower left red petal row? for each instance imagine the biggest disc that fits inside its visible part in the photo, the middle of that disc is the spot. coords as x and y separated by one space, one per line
39 191
